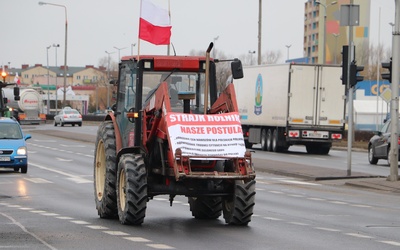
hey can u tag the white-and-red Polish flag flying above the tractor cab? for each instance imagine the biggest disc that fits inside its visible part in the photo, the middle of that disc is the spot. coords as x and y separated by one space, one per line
154 24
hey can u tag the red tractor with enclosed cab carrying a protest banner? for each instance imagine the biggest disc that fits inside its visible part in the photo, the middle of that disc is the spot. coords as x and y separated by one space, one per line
171 133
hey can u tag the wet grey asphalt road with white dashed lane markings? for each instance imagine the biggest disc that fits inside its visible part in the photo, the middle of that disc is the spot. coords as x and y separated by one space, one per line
52 207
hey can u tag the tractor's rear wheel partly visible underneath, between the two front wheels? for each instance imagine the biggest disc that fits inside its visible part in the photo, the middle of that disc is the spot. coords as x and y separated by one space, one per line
205 207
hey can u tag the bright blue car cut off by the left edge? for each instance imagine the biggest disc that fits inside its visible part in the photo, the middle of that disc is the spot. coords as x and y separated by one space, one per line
13 150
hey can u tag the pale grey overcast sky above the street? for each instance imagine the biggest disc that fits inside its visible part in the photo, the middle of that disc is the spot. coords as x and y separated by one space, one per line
95 26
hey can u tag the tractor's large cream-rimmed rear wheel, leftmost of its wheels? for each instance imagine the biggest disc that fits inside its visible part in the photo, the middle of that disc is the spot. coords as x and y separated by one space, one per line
105 171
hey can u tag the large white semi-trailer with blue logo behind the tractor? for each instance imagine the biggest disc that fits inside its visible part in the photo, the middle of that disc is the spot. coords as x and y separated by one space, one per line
292 104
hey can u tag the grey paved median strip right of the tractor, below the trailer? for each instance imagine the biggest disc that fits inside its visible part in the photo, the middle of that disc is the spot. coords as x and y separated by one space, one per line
314 173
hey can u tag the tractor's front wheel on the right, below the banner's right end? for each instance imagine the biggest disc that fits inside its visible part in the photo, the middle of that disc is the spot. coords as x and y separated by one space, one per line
238 207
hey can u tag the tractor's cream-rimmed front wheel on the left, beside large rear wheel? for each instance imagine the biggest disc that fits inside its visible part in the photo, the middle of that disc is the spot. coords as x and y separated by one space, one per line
131 189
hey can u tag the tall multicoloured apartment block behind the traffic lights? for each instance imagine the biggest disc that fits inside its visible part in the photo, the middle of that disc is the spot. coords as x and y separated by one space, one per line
322 21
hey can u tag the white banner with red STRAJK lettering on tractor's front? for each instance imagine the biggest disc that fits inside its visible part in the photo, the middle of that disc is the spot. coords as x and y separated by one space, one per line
206 135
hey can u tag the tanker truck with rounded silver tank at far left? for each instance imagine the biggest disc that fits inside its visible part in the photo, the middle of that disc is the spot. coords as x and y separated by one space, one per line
27 110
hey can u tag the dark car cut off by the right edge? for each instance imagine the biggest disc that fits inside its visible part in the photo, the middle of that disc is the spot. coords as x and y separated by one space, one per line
379 144
